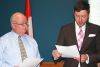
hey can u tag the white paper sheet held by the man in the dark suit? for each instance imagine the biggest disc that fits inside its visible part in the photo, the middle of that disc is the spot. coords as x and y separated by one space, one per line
68 51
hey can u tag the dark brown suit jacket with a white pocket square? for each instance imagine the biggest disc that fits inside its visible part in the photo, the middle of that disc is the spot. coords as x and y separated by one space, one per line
90 46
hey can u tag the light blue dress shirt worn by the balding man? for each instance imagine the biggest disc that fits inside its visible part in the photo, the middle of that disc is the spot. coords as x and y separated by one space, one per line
10 51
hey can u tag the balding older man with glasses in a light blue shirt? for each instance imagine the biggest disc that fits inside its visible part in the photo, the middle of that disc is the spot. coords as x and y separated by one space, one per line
15 46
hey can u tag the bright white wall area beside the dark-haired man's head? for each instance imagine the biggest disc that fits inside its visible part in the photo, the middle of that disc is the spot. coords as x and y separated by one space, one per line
94 11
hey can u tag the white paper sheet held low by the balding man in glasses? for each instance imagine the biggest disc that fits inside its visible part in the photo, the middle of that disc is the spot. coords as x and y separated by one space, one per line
31 62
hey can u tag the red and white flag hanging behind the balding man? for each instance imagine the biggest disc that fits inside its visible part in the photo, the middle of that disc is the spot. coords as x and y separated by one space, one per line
28 14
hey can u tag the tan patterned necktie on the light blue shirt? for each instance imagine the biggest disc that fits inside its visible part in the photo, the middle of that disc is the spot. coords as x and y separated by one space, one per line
22 49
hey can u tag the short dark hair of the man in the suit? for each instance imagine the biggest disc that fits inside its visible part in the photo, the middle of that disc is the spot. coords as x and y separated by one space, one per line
82 5
